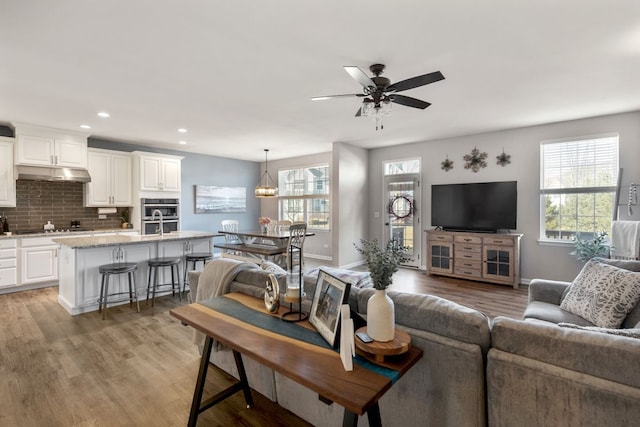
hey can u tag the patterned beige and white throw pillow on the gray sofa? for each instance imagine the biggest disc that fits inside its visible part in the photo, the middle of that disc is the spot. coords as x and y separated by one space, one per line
603 294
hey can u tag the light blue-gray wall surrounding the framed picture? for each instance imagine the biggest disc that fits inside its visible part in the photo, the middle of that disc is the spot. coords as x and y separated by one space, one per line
205 170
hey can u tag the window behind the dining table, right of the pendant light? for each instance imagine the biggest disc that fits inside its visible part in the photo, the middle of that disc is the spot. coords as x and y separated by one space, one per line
304 196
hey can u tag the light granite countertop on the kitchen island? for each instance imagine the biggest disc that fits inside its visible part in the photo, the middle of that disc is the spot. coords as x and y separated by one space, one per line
119 239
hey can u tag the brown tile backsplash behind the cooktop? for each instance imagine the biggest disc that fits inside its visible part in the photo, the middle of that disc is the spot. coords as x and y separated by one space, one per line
59 202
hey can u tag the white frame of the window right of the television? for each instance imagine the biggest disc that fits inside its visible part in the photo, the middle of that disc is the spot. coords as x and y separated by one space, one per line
573 190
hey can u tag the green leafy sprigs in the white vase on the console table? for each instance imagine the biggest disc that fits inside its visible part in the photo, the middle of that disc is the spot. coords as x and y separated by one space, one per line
382 262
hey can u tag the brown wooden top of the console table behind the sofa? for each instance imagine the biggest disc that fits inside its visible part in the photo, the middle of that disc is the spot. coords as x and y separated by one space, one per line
319 369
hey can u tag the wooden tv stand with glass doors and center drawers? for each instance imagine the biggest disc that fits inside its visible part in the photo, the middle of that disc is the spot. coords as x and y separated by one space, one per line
485 257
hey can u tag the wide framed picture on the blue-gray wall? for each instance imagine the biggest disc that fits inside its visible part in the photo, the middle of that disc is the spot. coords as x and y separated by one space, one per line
214 199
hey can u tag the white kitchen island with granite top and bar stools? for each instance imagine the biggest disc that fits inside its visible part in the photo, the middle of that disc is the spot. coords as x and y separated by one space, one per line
80 257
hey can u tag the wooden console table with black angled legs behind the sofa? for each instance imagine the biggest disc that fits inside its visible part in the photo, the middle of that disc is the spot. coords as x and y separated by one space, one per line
317 368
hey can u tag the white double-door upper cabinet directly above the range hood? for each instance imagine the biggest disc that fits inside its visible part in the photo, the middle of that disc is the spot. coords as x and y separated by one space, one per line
39 146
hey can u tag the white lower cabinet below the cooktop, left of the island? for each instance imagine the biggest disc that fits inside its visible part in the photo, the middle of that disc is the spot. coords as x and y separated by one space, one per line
39 258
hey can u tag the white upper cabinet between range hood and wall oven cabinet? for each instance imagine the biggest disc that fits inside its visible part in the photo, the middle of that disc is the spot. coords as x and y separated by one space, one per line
110 178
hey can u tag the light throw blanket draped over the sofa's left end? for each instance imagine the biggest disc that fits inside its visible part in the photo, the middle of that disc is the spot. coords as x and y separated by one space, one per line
215 281
